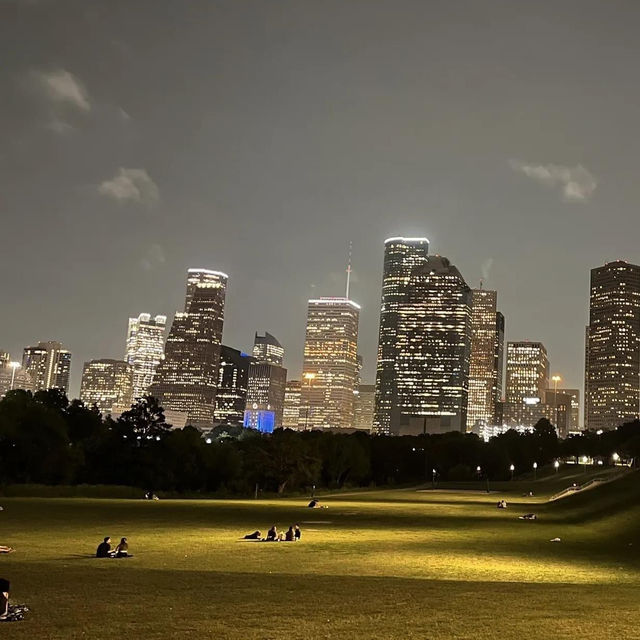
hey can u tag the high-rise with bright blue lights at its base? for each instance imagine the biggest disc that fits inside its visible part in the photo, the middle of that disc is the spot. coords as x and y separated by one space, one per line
266 386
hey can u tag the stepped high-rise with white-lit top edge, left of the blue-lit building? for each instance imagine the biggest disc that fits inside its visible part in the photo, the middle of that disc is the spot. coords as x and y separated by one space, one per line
186 379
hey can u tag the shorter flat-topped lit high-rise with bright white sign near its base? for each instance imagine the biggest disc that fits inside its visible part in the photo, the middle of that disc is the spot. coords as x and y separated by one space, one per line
527 379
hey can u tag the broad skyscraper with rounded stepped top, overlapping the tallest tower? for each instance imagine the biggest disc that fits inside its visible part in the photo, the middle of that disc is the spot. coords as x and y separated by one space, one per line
433 342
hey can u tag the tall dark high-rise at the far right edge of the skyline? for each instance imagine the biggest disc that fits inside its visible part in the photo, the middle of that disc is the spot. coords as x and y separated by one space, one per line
612 377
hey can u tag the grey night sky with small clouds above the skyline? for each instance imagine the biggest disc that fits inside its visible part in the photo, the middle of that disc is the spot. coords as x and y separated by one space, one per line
141 138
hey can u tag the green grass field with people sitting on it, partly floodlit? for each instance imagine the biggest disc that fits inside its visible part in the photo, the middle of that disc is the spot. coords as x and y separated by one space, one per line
379 564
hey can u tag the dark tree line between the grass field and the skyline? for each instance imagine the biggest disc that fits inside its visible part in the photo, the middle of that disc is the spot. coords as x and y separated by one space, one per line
47 439
